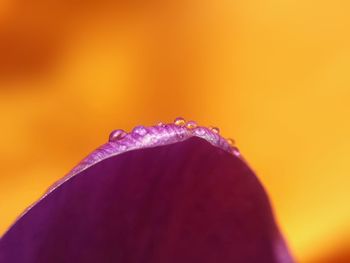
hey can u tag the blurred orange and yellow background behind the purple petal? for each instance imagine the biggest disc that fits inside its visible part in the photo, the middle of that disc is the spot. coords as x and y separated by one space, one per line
274 75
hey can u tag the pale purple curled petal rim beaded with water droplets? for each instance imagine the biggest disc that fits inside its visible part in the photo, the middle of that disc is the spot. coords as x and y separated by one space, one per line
143 137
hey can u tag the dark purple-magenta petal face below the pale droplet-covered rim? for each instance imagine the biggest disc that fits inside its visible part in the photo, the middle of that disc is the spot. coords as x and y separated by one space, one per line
184 202
